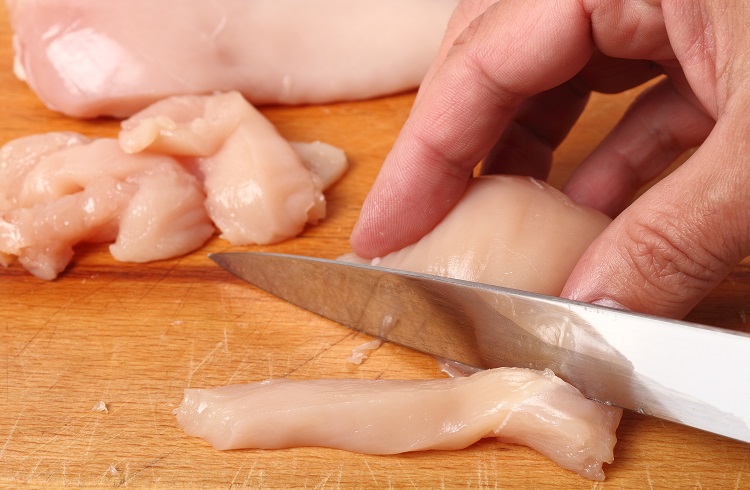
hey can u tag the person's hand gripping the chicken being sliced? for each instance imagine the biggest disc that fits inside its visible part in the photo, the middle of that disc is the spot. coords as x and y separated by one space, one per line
512 77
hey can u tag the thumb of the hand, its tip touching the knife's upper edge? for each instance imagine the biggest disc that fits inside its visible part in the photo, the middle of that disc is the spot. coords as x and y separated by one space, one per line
679 240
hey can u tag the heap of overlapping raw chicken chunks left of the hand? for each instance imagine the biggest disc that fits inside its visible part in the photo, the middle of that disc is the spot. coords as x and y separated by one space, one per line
187 160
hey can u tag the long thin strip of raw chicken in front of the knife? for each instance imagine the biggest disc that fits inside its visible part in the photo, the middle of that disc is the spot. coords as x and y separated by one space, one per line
519 406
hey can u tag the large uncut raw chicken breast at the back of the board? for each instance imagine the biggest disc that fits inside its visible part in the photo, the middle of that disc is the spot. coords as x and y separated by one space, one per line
87 58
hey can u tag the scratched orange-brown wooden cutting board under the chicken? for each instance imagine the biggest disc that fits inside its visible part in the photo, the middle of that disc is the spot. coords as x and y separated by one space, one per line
135 335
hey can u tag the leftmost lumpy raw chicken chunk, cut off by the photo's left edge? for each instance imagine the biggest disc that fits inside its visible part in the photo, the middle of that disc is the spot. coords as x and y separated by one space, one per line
61 189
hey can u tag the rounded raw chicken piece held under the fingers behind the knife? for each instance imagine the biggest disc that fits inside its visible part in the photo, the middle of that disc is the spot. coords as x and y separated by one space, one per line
509 231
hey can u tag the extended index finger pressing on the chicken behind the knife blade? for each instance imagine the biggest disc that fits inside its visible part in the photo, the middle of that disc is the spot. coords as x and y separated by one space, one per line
513 50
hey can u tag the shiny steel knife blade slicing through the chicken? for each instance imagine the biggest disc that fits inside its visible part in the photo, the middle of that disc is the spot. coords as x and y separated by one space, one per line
687 373
